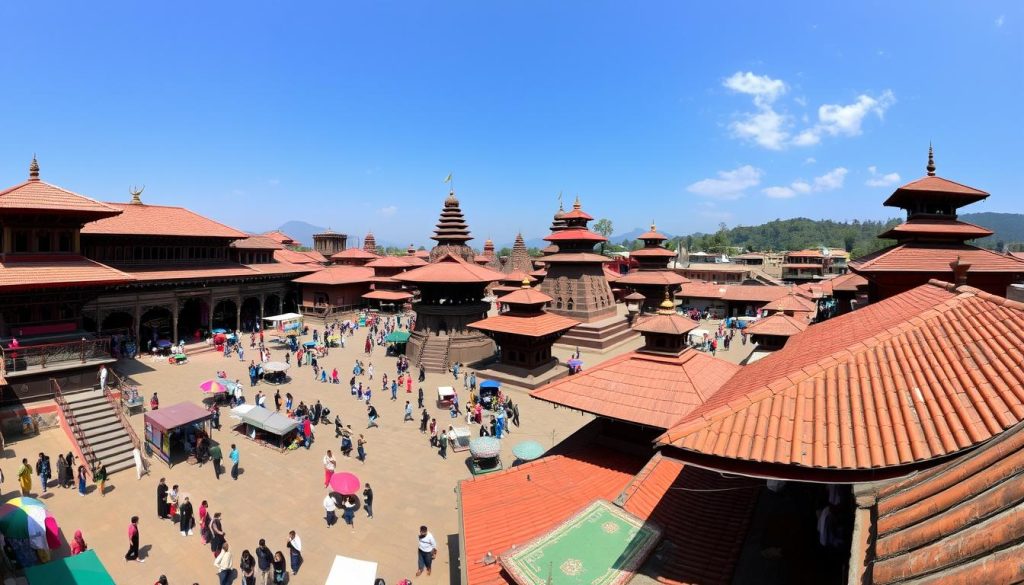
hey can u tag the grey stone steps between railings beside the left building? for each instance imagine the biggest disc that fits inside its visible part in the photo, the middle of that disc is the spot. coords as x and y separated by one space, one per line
102 427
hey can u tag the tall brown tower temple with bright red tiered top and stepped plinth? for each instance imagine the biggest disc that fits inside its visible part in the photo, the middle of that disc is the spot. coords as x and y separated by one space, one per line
577 282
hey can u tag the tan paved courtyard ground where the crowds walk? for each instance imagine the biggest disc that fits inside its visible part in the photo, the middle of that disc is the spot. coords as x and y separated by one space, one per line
278 492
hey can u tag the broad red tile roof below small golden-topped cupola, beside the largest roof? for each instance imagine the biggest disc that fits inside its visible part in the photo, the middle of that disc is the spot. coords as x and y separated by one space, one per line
651 390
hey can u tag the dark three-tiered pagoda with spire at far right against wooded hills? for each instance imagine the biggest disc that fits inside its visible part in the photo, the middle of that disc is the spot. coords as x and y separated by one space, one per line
932 243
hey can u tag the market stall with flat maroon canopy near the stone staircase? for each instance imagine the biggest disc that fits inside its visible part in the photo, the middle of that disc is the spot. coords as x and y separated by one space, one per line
172 433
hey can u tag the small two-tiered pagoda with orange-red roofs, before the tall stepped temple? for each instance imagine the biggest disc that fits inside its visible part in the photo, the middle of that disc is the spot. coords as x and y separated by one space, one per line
525 335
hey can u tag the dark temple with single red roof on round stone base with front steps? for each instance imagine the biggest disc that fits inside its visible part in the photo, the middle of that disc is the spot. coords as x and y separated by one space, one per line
451 289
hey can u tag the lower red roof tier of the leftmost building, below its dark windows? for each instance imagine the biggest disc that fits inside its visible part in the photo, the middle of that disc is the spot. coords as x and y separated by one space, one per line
57 272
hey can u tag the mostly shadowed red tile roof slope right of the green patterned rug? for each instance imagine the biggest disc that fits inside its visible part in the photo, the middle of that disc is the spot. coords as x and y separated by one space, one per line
704 518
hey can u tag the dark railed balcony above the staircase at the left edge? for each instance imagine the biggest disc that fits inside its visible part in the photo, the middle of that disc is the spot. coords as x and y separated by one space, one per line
35 359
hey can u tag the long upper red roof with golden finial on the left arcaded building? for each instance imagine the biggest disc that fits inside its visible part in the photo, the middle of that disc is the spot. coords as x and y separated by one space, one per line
138 220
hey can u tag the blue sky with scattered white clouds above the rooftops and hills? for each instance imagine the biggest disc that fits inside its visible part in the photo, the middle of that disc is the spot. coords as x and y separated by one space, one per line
351 115
